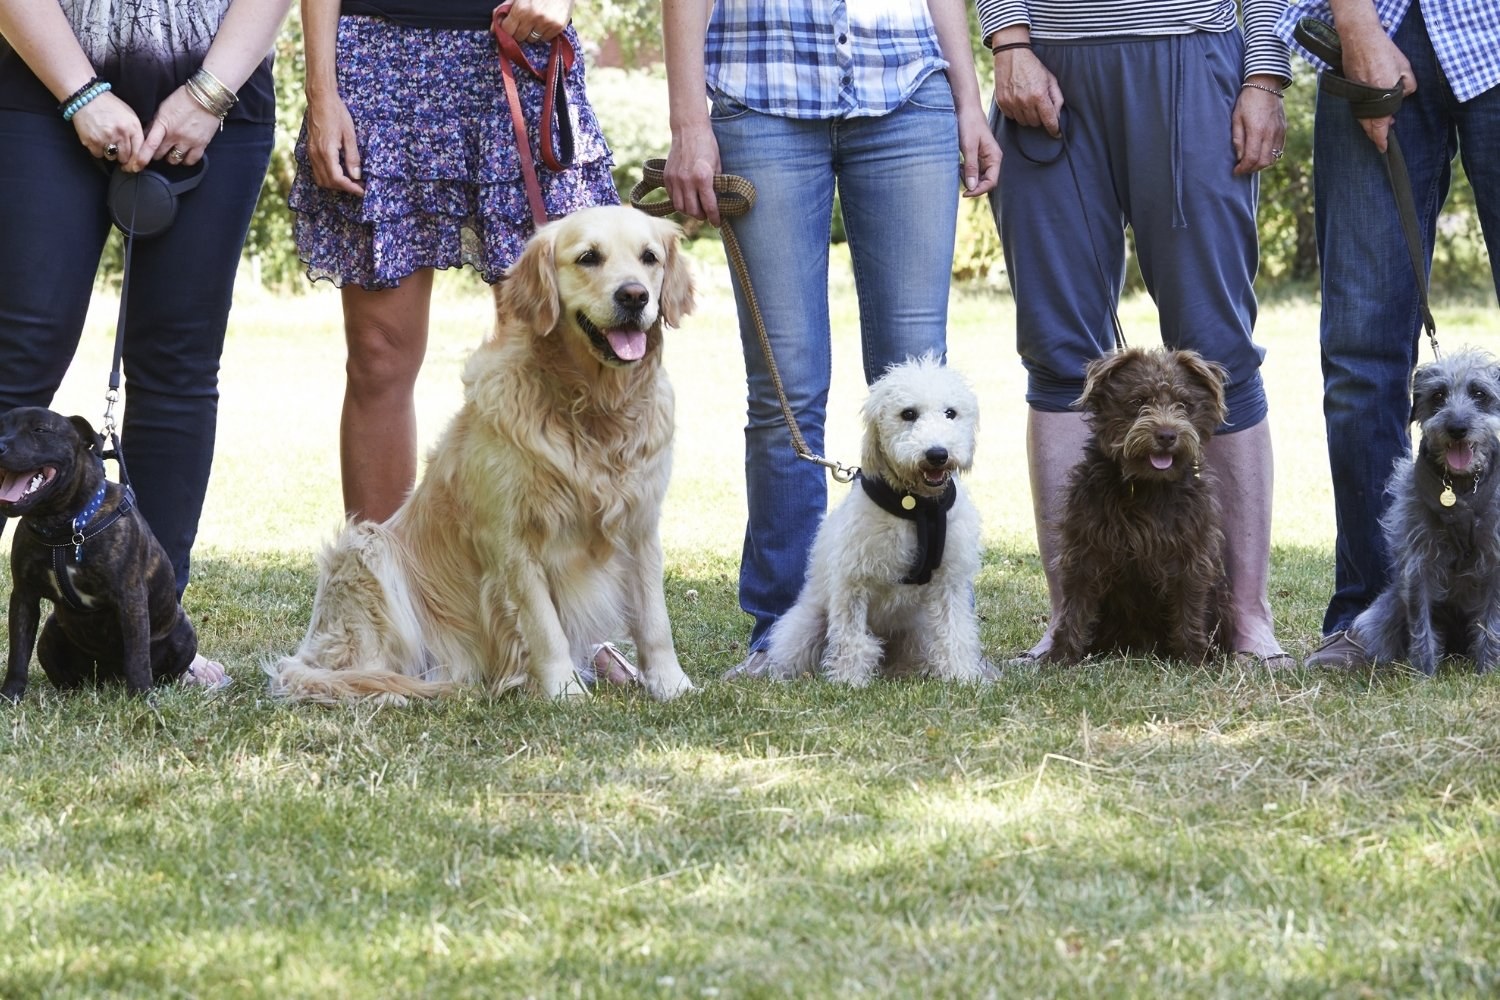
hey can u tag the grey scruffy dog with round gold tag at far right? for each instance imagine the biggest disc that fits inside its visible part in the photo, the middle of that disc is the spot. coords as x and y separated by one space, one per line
1444 525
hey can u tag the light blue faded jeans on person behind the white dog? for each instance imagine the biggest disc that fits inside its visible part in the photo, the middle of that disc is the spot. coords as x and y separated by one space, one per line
898 181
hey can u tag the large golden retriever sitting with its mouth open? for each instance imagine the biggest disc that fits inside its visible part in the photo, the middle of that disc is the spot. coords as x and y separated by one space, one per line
535 530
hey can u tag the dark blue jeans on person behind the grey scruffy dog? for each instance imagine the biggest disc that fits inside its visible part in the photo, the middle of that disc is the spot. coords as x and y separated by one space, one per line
1372 329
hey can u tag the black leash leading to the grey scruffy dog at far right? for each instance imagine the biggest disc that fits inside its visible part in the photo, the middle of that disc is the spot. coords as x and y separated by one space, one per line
1322 41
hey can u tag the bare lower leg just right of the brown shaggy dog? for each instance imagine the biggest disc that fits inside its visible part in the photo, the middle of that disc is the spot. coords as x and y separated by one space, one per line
1243 463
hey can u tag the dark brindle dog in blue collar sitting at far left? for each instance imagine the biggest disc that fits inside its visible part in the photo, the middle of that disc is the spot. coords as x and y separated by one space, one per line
83 546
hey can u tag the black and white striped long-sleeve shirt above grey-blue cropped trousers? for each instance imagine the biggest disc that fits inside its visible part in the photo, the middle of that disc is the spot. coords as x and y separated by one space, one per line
1063 20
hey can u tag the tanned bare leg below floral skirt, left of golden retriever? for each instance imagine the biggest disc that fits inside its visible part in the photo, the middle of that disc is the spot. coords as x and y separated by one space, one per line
388 340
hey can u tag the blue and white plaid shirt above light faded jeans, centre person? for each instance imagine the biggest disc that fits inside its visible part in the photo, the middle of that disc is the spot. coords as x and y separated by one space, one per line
820 59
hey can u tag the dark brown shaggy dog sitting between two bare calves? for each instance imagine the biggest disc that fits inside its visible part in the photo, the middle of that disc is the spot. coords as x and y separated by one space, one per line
1142 542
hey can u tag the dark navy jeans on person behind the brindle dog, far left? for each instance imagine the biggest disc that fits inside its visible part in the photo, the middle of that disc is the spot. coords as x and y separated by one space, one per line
176 314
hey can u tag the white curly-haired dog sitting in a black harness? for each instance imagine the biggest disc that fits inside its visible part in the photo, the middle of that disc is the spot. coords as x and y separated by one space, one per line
890 581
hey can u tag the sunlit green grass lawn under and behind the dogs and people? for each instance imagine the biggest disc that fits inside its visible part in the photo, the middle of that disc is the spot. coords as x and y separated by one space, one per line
1129 828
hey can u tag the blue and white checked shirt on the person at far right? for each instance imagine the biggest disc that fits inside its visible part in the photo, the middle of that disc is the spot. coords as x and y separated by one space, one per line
1465 34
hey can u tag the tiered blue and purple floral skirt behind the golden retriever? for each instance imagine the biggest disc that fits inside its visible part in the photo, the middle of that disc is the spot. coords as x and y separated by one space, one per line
439 160
